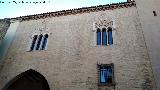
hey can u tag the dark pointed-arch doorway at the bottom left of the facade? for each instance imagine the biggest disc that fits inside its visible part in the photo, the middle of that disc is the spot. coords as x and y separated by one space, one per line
28 80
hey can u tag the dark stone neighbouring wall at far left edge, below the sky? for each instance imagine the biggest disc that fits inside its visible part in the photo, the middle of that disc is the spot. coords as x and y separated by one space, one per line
4 25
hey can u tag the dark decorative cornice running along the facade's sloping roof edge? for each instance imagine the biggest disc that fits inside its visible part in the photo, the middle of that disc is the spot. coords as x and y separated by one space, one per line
77 11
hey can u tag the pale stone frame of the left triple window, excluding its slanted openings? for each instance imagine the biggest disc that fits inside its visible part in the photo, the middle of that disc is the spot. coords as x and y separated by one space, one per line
31 40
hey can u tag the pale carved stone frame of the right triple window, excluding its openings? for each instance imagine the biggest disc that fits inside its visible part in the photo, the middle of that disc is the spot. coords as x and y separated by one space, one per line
104 24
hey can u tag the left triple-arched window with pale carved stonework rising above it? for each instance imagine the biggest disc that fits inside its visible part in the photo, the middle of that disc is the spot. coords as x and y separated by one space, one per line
39 40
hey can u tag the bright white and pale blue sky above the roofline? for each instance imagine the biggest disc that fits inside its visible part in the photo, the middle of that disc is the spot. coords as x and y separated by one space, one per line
10 9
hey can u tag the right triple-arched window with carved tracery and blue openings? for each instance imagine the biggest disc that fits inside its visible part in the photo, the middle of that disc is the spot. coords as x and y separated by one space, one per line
104 33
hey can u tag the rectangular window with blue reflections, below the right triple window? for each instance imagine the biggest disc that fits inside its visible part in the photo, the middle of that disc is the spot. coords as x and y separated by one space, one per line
105 74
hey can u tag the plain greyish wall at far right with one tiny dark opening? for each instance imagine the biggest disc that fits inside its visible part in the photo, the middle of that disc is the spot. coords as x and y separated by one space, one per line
150 26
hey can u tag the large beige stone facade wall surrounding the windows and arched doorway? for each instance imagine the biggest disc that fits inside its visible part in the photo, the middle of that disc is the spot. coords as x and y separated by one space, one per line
70 62
